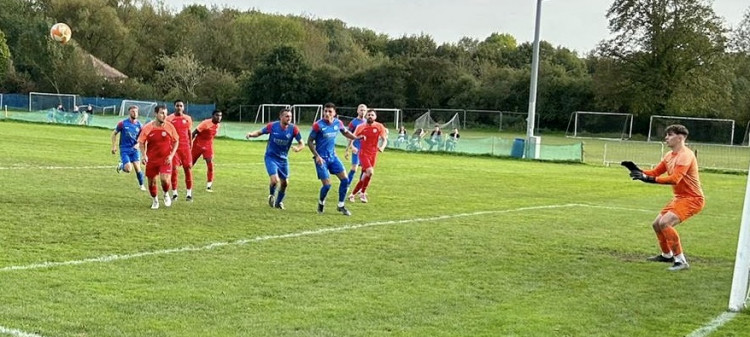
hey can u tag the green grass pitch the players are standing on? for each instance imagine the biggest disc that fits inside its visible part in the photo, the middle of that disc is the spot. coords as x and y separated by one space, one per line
447 246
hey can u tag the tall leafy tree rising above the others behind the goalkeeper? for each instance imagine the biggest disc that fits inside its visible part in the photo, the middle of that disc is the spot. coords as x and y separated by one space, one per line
665 52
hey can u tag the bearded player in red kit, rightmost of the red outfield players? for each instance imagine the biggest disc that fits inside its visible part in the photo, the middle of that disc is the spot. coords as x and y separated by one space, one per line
370 145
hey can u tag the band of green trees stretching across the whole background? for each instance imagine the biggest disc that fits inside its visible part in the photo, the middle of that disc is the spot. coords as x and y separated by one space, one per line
665 57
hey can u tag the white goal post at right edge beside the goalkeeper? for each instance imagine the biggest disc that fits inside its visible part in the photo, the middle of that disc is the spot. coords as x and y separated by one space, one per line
738 296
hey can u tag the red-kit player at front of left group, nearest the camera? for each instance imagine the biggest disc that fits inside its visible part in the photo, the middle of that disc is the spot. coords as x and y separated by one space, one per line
158 142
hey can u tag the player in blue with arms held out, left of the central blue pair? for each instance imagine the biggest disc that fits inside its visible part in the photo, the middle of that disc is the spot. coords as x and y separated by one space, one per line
280 135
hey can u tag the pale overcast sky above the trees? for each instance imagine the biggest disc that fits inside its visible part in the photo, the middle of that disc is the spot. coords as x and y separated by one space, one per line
575 24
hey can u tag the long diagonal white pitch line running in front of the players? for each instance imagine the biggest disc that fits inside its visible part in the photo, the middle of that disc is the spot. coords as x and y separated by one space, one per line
111 258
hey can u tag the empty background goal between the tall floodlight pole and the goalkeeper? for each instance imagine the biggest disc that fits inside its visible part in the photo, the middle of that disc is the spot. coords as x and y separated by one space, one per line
603 125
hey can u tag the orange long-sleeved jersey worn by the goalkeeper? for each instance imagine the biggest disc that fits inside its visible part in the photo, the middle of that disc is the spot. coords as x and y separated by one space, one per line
682 173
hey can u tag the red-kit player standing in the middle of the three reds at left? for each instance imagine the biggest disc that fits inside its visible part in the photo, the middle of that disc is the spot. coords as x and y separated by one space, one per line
182 122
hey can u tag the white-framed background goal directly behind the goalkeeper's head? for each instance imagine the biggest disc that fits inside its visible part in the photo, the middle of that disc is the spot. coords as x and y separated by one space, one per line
702 130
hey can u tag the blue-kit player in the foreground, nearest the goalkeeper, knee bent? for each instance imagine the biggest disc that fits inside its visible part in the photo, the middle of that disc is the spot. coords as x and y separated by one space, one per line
322 142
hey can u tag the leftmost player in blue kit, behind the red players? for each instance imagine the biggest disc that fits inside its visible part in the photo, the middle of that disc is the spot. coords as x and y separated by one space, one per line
129 129
